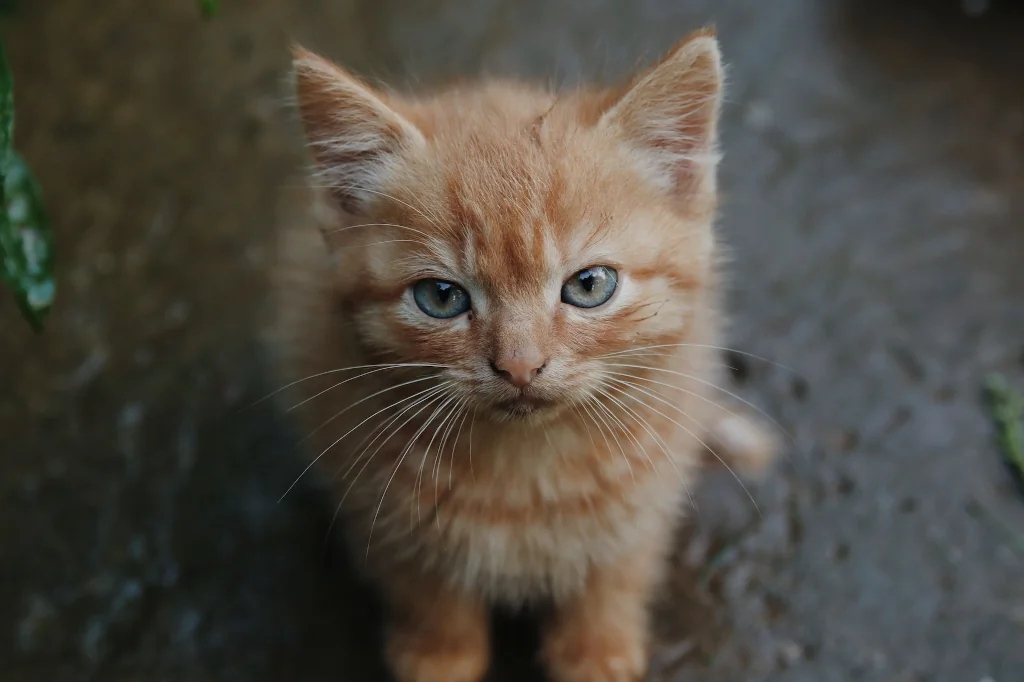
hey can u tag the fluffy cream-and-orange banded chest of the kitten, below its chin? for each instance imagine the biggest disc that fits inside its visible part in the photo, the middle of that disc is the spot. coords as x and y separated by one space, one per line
519 534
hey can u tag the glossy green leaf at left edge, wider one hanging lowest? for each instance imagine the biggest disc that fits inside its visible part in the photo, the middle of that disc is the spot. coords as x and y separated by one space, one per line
26 242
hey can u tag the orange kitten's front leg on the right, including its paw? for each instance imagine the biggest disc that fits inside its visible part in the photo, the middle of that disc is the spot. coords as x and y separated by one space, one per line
602 635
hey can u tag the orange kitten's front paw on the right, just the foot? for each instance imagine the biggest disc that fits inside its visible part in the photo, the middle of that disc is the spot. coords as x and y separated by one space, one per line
579 652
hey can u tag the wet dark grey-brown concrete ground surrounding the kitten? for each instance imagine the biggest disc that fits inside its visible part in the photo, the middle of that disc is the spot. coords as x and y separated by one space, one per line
874 175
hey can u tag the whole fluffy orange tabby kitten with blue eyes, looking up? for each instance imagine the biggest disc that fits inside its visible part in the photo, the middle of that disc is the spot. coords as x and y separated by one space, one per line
505 333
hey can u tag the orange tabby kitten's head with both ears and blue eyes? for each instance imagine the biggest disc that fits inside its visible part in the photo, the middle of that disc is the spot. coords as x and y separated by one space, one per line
517 237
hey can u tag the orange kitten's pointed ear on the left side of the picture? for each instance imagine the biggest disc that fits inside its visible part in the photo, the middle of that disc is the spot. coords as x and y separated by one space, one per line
356 138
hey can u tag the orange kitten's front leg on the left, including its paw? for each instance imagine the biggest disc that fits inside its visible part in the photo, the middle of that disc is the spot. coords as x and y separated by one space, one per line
436 634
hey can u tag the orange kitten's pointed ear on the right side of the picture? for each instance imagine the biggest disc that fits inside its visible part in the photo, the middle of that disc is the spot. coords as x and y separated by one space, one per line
669 116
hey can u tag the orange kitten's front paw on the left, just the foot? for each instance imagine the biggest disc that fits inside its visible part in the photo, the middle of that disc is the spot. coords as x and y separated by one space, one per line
424 656
